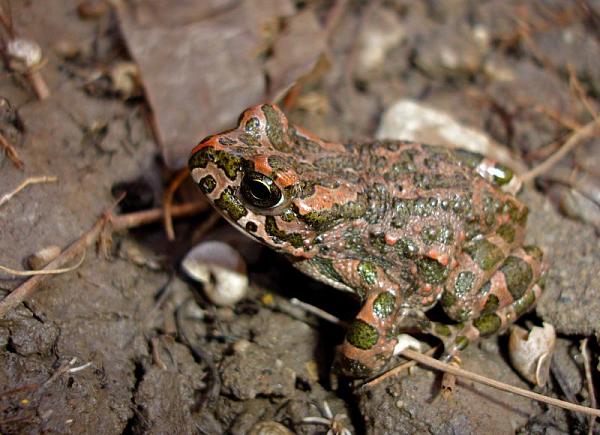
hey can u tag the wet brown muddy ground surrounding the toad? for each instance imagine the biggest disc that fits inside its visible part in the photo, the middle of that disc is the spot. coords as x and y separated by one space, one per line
127 343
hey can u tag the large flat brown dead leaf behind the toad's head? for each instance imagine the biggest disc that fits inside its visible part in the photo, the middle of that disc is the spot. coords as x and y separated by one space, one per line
198 63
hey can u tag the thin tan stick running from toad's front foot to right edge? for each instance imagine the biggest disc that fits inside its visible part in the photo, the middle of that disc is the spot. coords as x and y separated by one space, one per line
438 365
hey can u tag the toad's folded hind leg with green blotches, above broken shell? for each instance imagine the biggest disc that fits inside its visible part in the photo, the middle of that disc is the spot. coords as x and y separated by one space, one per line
512 290
